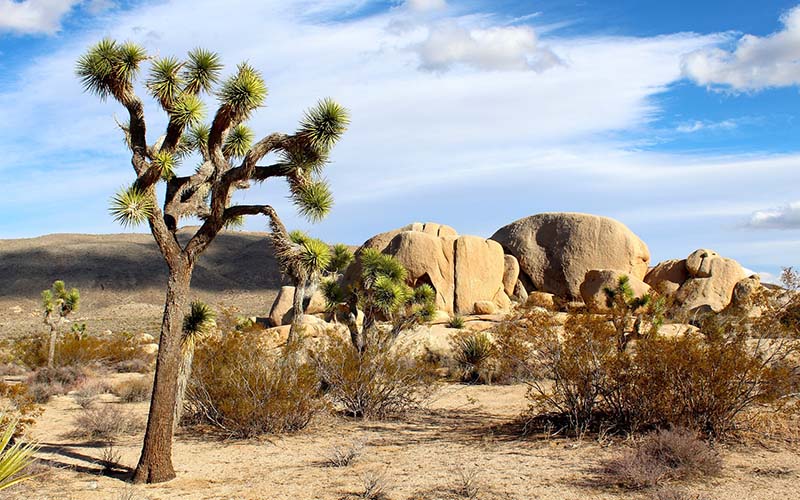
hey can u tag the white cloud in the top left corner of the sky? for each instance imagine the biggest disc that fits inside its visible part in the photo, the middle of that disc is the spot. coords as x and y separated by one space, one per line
33 16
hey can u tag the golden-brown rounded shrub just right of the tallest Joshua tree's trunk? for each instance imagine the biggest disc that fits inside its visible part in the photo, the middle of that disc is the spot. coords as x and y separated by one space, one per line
244 390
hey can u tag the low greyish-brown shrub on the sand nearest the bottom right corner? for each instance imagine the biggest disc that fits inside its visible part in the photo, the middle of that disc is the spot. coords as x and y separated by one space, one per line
666 455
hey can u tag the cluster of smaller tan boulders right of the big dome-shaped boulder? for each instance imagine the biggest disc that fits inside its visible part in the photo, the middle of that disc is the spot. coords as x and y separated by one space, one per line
704 281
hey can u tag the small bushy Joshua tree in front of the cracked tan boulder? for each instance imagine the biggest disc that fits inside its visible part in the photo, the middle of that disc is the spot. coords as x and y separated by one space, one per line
381 293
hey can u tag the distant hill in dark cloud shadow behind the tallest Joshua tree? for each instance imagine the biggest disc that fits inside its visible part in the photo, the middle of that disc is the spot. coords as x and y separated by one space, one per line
127 268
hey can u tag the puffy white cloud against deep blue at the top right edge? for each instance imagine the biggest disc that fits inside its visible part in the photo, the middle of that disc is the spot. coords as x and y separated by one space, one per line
754 64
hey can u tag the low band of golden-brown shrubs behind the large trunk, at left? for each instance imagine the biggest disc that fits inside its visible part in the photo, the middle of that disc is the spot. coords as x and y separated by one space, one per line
80 349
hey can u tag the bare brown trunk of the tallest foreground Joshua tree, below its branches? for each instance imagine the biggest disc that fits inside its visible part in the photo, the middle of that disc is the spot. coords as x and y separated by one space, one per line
155 464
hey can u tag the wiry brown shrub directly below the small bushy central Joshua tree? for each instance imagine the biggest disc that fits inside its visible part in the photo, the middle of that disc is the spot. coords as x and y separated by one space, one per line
382 381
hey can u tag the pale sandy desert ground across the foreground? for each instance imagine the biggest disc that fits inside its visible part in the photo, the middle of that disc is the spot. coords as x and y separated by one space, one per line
465 429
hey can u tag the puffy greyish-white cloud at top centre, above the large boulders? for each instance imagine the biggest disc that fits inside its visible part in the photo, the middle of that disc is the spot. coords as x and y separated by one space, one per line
496 48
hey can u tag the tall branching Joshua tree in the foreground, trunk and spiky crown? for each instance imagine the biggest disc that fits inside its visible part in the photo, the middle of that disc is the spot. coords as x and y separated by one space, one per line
229 160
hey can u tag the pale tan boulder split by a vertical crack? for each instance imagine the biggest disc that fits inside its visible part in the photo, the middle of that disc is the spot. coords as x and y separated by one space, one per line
463 270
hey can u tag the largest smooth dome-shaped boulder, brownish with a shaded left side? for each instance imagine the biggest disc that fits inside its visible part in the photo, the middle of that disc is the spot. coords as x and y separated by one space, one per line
556 250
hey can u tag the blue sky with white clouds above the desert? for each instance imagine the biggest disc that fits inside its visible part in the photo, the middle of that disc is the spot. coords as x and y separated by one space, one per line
677 118
